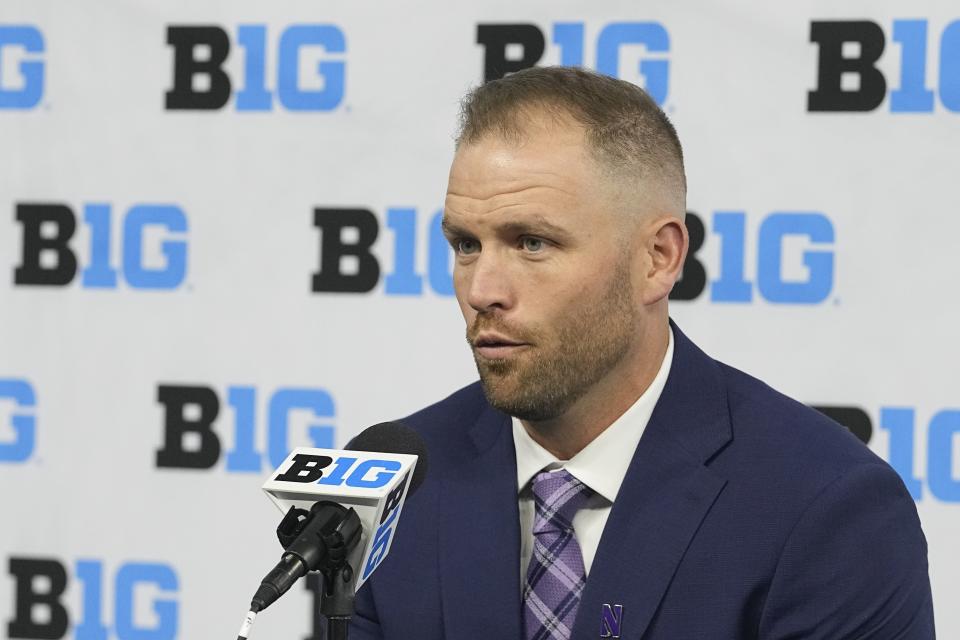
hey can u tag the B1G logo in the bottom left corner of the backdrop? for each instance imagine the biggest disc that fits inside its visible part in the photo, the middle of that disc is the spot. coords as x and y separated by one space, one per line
145 603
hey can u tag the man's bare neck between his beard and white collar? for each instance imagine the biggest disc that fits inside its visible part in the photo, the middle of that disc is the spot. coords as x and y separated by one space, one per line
567 434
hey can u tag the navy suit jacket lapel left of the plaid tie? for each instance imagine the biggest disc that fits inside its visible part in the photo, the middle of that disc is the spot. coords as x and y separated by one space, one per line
480 537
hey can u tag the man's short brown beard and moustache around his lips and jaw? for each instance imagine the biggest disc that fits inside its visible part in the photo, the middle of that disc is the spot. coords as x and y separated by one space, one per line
563 360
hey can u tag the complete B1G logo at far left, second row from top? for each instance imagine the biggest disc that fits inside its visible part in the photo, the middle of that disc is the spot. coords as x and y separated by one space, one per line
149 250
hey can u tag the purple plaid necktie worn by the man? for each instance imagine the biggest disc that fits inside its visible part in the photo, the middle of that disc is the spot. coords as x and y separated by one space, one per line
555 576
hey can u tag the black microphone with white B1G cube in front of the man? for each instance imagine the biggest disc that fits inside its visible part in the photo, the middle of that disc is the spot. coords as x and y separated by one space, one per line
331 498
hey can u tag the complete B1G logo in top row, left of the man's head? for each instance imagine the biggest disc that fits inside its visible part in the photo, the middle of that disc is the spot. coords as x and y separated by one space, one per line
307 59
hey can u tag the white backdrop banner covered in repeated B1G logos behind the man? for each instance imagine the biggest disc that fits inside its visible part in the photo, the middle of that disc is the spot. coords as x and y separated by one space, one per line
219 240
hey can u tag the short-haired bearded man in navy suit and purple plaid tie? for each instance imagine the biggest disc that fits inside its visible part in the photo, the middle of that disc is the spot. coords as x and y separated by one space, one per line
606 478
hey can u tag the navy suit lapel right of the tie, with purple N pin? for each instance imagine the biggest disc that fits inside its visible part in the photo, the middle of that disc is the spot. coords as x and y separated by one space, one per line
664 497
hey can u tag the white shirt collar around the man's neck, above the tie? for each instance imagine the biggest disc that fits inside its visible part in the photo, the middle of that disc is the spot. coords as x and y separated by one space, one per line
602 464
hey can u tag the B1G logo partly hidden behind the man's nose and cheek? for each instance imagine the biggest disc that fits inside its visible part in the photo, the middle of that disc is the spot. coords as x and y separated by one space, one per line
421 256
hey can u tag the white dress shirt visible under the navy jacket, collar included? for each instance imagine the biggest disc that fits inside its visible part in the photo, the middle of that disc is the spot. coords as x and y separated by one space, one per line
601 465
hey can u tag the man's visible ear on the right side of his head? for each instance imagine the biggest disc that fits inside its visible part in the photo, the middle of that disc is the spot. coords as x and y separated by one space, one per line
666 246
